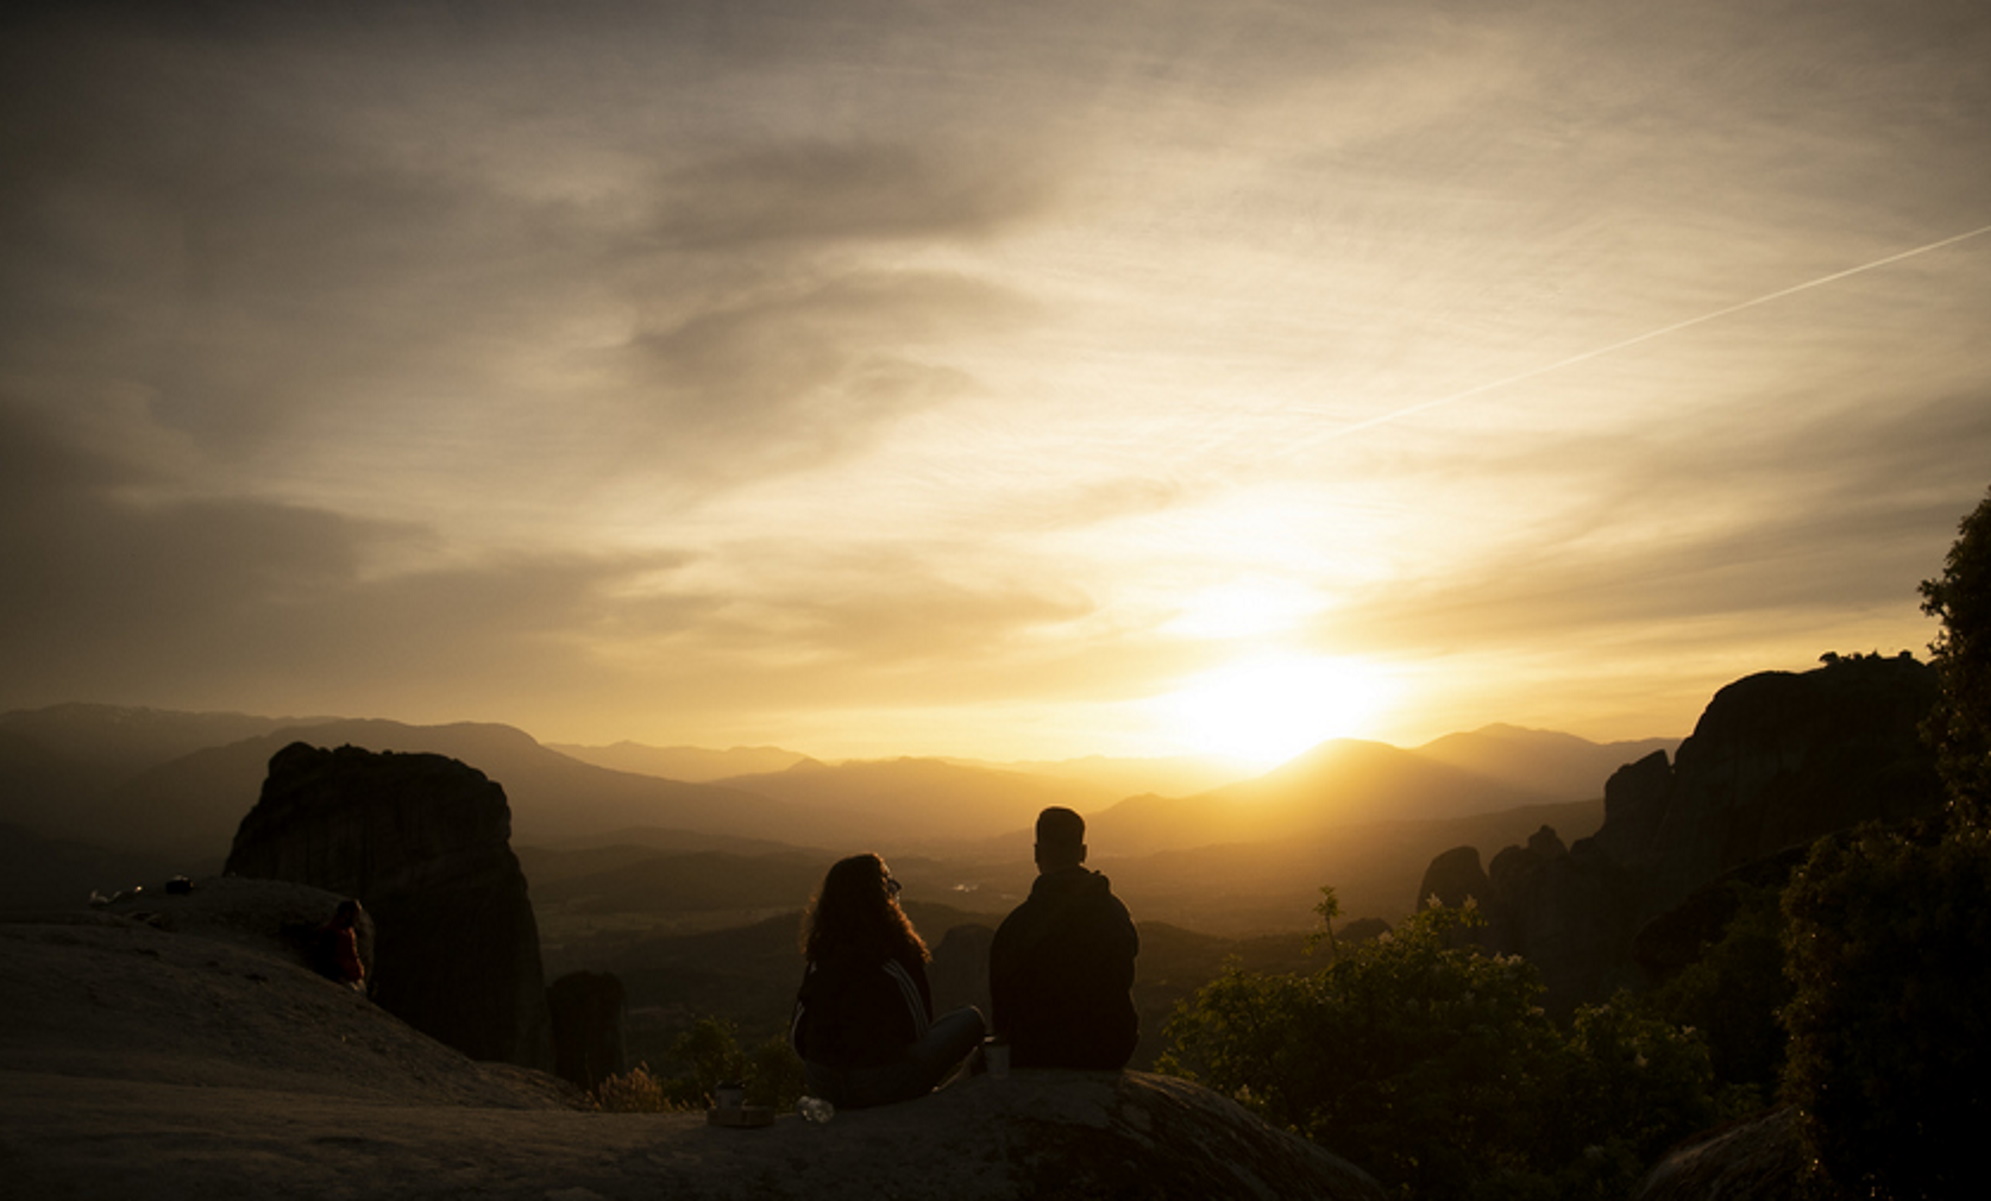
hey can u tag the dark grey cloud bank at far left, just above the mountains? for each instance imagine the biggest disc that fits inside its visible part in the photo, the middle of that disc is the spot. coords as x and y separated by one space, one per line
140 599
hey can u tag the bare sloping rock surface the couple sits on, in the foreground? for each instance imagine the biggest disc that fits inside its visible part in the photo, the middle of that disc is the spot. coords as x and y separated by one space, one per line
202 1063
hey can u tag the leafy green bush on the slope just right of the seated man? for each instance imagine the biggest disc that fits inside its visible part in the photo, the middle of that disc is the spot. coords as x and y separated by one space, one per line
1435 1069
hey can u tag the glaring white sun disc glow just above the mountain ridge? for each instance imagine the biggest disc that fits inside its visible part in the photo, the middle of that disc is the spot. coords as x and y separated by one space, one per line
1267 710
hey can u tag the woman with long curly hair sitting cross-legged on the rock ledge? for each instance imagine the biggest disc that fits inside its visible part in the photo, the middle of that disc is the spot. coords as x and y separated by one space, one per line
865 1015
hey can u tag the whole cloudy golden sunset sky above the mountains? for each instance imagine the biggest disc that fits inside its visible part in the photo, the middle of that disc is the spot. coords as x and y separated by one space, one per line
985 379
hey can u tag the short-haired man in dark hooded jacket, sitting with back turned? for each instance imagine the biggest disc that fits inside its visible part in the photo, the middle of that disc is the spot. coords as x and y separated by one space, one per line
1062 963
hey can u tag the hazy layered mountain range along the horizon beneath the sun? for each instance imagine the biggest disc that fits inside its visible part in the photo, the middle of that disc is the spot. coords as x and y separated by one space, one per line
97 790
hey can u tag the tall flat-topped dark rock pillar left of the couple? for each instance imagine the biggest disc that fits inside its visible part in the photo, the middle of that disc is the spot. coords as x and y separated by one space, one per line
425 843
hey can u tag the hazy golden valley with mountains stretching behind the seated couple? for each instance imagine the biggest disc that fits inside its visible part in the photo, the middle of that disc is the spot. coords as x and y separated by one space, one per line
692 889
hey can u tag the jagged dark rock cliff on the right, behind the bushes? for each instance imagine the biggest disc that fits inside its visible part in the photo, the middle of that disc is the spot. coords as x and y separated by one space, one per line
1775 762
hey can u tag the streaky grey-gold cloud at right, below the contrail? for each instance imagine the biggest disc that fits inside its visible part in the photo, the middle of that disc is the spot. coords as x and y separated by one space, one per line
1723 521
